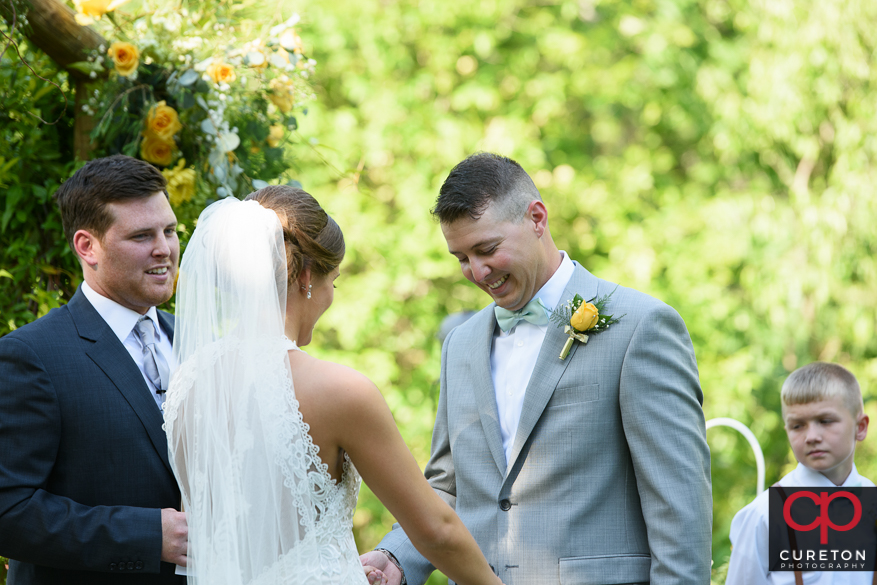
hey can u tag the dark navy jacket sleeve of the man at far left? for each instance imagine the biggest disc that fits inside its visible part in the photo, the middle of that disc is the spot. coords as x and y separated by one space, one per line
40 527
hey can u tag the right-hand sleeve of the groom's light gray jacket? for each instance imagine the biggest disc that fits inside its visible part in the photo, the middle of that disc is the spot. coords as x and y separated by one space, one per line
660 401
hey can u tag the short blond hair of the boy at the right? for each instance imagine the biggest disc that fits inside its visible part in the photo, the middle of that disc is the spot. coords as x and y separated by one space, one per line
820 381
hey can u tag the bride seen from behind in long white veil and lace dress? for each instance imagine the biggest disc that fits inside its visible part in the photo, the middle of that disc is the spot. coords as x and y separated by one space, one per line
266 441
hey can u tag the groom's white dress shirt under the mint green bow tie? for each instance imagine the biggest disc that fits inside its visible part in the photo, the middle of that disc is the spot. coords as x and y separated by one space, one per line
513 356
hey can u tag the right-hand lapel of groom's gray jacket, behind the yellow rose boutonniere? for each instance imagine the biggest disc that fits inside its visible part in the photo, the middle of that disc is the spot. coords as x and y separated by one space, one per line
549 367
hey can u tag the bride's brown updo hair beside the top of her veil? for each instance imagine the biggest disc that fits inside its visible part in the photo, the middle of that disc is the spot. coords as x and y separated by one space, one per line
313 239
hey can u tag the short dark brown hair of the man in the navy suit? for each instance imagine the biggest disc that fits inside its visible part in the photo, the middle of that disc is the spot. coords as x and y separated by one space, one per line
83 198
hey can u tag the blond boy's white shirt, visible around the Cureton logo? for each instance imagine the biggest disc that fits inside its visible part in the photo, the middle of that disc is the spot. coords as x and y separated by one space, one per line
750 533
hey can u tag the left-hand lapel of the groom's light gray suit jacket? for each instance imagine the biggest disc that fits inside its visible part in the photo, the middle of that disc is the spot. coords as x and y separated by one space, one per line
485 394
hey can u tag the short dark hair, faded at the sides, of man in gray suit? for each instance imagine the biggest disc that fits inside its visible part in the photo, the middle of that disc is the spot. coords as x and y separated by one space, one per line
481 180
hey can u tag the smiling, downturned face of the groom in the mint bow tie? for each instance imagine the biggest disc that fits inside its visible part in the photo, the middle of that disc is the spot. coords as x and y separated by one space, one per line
503 258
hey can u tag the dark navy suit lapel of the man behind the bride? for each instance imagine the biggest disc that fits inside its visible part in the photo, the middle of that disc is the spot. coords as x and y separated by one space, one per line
111 356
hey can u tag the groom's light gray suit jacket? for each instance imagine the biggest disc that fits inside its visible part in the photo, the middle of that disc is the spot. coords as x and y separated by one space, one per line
609 478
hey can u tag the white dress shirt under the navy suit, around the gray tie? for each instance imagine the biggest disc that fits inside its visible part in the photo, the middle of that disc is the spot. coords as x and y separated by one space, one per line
122 321
